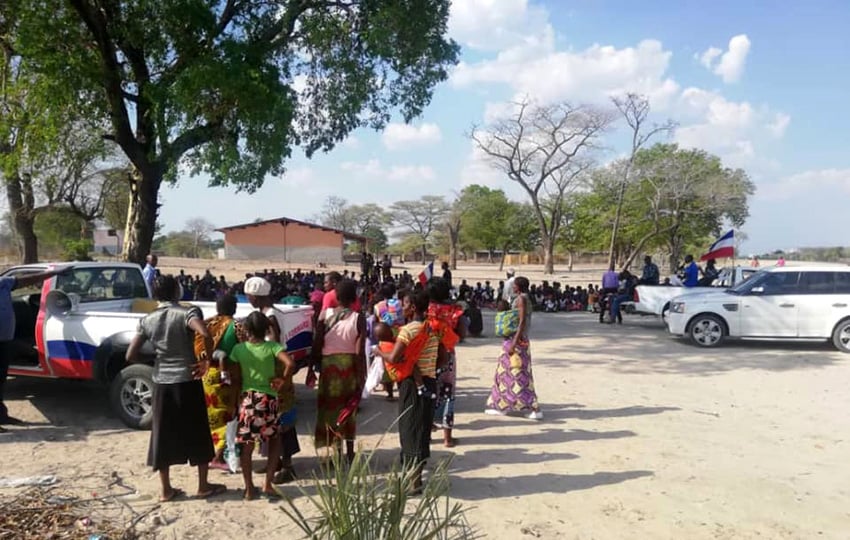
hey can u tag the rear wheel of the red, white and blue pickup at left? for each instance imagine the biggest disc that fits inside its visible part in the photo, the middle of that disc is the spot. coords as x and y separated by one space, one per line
131 395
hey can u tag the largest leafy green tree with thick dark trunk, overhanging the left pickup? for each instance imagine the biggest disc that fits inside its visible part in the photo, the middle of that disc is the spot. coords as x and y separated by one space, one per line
211 84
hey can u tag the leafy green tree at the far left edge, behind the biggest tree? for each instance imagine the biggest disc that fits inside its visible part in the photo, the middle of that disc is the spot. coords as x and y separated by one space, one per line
51 156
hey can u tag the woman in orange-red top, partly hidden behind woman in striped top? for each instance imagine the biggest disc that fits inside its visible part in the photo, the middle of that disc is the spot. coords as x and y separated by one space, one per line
449 314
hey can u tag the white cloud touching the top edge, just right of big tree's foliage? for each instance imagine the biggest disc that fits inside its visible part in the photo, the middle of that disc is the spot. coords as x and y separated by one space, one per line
492 25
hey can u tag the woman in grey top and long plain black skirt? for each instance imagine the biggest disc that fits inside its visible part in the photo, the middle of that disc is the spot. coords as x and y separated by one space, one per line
180 430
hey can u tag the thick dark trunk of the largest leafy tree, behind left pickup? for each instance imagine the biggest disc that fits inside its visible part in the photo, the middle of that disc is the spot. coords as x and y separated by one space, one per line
142 214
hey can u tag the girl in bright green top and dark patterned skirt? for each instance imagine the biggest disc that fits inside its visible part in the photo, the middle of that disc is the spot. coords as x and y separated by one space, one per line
257 359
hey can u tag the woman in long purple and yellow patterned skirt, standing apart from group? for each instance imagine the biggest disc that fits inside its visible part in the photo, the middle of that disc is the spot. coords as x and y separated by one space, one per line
513 387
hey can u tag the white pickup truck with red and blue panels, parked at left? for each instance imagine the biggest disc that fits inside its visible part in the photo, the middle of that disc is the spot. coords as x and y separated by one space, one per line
78 326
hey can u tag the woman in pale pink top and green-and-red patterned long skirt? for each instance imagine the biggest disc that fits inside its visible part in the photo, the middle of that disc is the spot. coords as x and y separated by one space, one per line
341 336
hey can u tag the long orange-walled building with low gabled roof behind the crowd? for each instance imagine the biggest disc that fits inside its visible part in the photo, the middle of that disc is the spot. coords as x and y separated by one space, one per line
287 240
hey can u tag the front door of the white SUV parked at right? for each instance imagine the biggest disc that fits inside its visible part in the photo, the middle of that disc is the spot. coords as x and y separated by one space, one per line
770 309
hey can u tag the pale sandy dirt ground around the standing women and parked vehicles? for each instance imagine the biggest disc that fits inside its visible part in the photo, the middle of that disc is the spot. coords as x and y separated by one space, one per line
643 437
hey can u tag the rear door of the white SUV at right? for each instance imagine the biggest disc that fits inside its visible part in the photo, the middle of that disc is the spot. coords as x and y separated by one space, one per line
814 312
